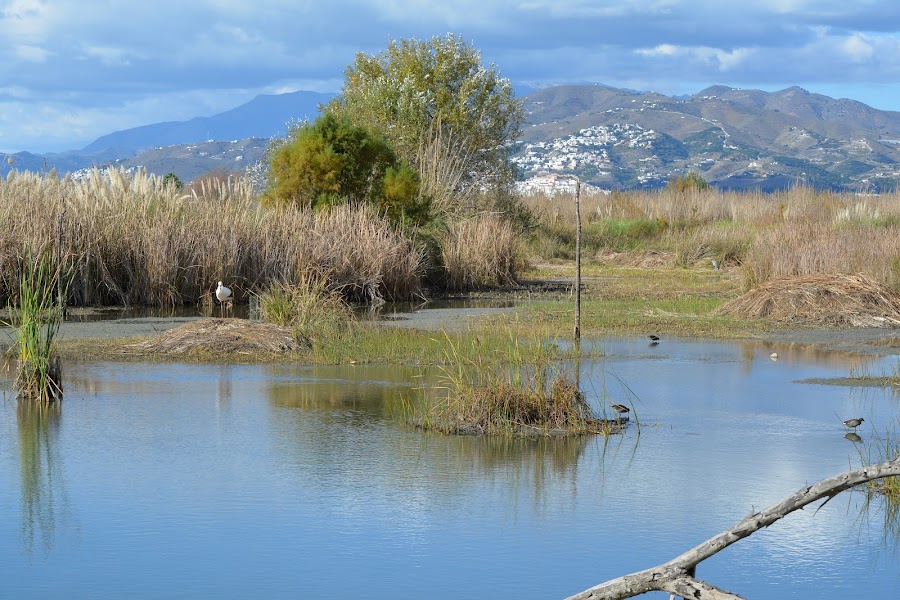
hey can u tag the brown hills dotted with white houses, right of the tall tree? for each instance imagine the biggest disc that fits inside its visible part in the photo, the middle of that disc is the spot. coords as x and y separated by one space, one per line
735 138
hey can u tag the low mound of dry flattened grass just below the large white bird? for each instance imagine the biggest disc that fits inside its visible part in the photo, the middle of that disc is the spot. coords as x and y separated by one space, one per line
225 337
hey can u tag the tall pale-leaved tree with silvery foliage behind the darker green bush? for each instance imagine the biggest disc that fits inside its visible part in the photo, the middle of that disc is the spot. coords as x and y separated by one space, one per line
436 92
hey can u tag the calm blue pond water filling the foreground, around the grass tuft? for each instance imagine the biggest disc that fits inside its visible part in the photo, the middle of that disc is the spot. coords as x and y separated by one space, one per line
186 481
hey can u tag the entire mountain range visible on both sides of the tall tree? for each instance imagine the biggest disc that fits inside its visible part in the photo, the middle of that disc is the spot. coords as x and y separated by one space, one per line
611 138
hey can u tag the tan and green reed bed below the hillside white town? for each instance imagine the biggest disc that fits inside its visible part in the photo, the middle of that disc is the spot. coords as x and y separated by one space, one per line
796 232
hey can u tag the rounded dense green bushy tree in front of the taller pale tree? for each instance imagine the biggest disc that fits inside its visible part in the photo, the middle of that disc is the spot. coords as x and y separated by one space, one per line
332 160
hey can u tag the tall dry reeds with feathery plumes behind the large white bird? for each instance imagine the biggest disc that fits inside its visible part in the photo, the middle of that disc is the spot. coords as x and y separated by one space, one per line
139 242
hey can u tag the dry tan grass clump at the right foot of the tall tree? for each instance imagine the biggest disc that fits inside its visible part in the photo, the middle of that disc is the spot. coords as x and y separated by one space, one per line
480 252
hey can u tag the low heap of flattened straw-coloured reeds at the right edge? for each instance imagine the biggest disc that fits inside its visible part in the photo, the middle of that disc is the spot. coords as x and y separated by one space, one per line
854 300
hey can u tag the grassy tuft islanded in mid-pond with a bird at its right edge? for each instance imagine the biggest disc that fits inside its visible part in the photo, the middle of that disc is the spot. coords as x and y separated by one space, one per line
526 398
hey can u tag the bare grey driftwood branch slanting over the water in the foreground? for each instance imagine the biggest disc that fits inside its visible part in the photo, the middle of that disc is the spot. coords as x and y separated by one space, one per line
676 577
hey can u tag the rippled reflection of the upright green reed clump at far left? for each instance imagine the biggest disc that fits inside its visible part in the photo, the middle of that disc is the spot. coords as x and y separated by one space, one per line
44 498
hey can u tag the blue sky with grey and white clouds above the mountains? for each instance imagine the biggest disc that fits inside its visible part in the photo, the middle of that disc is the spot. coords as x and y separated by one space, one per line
73 70
